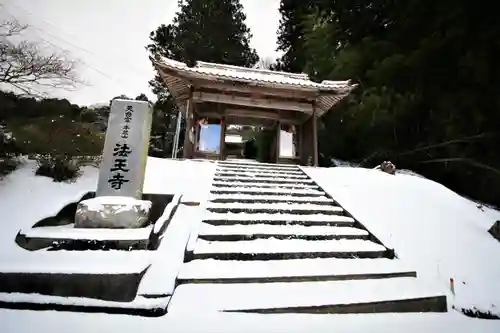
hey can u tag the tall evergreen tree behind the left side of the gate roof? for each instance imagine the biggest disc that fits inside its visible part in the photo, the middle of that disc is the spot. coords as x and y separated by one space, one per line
202 30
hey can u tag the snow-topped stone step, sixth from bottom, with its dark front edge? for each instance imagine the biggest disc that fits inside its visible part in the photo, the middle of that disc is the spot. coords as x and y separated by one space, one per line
283 207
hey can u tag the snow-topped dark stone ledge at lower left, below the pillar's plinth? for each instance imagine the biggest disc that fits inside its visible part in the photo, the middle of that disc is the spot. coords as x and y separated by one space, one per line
107 275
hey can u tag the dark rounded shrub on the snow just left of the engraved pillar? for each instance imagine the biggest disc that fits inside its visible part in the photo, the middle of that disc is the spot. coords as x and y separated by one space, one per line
58 167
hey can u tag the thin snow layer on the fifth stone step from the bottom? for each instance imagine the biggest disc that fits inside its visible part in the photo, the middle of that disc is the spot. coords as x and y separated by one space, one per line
311 218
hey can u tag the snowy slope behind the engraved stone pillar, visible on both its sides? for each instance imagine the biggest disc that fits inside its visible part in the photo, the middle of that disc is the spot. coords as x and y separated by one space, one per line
26 198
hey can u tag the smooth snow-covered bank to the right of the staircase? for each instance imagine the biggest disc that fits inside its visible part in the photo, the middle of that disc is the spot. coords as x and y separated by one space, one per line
441 234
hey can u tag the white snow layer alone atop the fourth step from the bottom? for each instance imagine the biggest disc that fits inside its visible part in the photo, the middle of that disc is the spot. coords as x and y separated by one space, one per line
269 229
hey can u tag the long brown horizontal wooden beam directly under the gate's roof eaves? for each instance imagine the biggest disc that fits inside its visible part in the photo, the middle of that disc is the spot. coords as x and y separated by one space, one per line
252 102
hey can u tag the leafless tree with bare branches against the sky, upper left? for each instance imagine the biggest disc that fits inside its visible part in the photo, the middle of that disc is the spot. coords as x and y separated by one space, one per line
26 65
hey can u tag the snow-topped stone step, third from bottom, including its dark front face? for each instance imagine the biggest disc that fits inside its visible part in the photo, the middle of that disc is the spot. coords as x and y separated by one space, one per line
276 249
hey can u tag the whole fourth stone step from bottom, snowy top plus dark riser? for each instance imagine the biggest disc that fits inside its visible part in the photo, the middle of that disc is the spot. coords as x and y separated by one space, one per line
255 231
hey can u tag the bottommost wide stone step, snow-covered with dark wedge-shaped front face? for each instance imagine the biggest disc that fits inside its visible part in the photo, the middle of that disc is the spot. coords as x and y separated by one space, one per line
404 294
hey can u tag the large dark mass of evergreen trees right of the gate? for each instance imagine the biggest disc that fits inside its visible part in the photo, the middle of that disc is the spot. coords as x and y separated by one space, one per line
428 97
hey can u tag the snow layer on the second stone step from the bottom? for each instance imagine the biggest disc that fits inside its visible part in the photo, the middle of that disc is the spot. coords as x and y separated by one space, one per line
226 269
